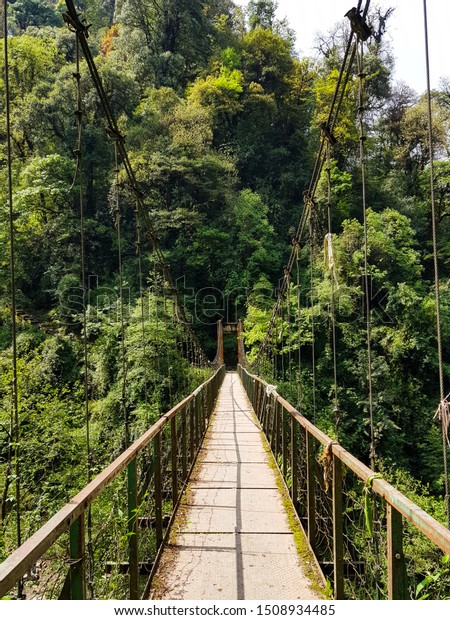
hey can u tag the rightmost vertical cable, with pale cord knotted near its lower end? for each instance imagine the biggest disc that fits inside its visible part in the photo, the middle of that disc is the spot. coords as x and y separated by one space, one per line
442 405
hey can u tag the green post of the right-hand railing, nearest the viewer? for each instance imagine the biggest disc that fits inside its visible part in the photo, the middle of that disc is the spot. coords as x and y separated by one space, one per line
397 589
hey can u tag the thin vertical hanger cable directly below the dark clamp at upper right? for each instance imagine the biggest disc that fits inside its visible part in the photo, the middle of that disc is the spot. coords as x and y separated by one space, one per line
362 139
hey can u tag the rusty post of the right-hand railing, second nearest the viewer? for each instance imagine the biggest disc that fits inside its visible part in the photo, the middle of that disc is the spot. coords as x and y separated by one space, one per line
338 539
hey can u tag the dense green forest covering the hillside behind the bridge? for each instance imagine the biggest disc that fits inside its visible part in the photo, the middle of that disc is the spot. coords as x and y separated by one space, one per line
222 122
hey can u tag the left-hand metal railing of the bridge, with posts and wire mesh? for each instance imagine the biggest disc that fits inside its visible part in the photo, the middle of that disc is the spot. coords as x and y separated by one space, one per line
143 487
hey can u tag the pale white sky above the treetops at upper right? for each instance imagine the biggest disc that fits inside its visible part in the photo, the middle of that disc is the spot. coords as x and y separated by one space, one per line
405 33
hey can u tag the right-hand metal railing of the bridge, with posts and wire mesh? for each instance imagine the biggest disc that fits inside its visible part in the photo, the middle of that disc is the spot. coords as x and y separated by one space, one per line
371 541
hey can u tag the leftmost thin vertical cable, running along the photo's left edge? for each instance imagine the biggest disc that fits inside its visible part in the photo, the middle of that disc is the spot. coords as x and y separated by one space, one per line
12 267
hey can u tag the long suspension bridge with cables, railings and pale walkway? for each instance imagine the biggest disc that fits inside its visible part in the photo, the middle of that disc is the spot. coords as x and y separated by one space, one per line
233 493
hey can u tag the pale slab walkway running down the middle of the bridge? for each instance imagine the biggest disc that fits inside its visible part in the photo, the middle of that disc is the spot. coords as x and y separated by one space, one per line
232 539
